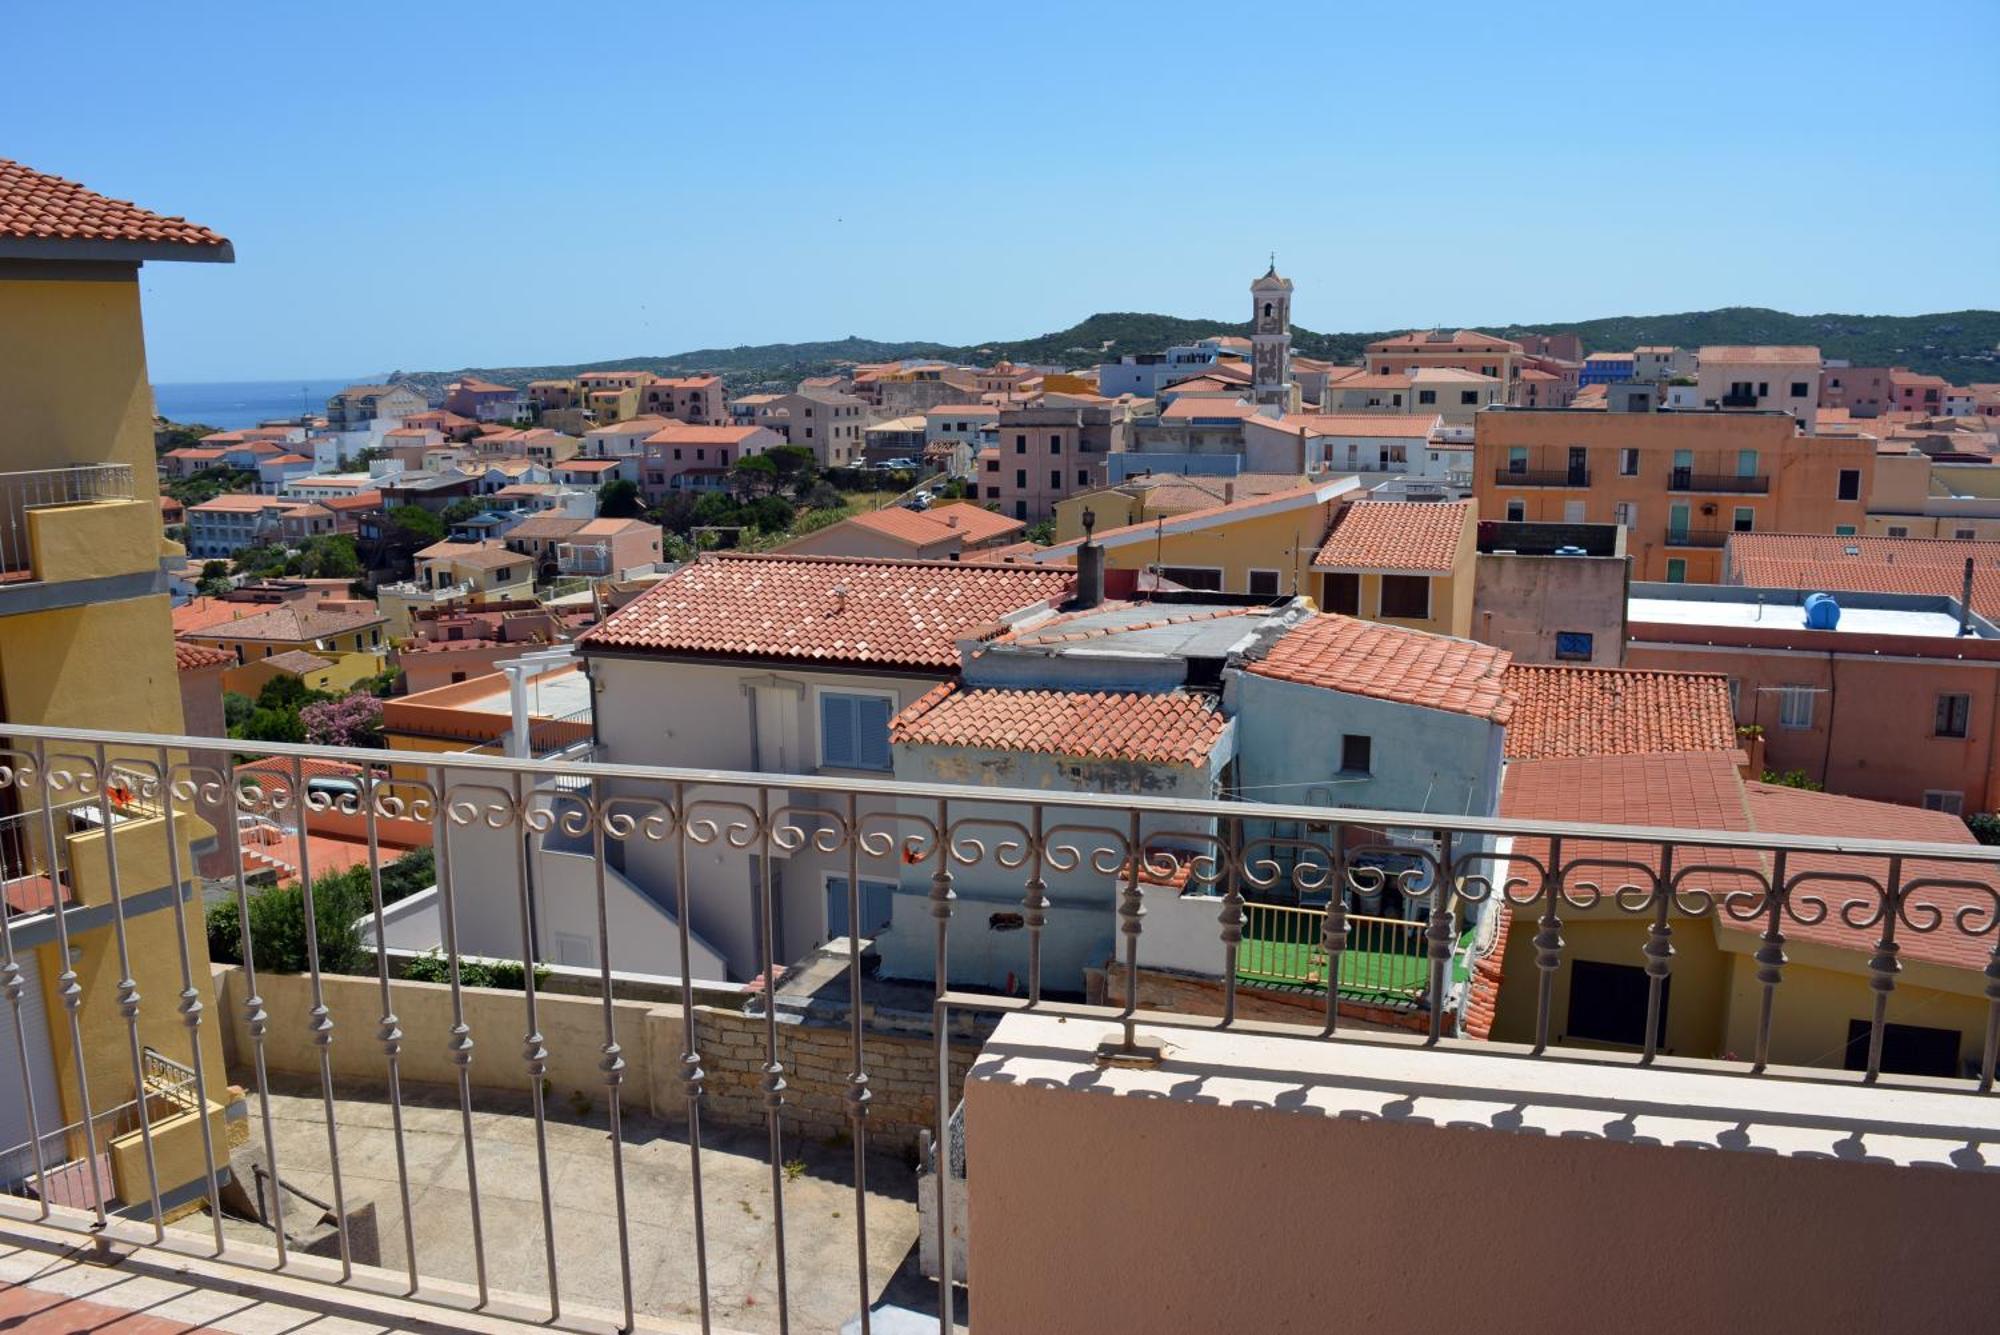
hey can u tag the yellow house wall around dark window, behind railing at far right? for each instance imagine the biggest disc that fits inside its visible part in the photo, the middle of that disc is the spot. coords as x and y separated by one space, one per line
1825 990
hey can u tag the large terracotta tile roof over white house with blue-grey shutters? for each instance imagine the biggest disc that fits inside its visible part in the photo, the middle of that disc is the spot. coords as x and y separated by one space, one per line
885 615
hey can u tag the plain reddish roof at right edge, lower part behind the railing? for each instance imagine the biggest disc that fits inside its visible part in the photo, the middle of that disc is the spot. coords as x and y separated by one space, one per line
1793 810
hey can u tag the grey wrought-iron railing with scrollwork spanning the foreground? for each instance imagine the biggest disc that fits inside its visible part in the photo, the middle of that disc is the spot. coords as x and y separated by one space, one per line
971 858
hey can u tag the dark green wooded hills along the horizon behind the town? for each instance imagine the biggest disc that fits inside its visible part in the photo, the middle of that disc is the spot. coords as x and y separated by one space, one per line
1955 345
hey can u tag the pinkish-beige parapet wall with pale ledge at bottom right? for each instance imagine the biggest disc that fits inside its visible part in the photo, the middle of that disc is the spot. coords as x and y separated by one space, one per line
1369 1186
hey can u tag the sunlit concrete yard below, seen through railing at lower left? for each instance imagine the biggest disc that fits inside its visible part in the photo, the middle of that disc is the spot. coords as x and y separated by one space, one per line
819 1202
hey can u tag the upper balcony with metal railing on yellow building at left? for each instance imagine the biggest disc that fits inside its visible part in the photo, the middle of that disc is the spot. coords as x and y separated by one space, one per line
73 525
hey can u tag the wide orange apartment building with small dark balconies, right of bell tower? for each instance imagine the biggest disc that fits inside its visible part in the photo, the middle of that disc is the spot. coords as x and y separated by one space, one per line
1681 483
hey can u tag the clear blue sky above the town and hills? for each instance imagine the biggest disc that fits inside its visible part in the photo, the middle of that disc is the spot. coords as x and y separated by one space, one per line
429 187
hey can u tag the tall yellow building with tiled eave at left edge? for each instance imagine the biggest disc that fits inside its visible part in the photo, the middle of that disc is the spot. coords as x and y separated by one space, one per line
93 906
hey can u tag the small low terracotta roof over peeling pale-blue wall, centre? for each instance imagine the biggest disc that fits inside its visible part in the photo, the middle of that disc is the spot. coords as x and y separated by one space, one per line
1171 730
